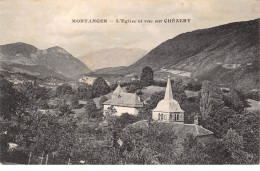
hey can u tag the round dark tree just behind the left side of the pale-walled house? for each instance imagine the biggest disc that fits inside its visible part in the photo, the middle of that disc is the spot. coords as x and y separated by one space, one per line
100 87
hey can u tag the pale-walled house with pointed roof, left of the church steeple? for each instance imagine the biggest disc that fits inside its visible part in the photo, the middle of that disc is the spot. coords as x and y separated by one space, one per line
122 102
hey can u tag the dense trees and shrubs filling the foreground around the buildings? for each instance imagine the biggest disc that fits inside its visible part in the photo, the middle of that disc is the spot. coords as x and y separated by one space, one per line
59 136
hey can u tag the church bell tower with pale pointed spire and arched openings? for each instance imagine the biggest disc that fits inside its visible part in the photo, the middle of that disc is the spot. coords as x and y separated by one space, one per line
168 109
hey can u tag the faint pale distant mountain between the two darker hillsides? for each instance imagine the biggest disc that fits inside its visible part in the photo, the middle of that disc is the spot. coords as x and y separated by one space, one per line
112 57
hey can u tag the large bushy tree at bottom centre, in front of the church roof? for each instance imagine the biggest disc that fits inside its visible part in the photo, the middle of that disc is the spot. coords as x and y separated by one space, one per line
155 144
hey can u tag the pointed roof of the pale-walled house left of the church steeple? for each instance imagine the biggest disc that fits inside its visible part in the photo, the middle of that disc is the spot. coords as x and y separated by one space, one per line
120 98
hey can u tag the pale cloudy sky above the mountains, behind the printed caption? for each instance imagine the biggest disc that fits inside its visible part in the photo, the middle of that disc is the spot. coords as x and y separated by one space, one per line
48 23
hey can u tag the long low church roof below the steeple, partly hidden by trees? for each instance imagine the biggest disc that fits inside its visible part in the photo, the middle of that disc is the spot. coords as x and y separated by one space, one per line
180 129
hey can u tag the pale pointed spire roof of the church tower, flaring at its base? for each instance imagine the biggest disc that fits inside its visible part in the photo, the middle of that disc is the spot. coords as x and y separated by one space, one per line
168 104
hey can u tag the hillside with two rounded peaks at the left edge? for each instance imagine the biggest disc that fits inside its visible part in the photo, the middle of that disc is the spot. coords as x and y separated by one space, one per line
25 58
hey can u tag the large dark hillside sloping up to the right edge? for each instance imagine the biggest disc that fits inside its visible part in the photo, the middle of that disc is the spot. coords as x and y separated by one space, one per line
227 54
